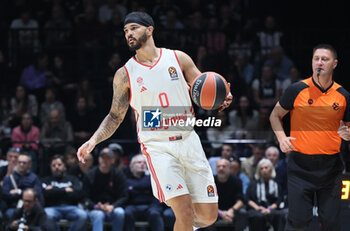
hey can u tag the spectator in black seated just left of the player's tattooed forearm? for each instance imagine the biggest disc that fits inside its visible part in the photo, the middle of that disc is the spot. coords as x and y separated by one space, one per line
83 121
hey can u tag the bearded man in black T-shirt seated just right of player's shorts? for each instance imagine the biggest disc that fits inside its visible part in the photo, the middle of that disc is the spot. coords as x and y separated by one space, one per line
229 189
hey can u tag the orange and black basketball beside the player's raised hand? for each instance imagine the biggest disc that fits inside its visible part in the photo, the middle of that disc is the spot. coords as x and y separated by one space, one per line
209 90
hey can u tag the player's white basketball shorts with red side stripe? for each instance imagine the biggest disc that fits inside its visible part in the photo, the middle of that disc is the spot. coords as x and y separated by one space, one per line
180 167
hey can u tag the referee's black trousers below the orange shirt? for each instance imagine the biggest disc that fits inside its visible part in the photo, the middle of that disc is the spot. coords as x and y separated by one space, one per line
309 175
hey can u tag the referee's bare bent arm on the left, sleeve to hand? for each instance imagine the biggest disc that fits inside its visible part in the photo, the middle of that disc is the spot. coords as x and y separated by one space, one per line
276 116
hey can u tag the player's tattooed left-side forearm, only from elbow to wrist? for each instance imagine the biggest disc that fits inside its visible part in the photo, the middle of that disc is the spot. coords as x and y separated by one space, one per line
107 128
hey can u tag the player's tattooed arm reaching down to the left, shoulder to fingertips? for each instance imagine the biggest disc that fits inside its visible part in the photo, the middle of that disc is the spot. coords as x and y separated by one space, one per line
111 122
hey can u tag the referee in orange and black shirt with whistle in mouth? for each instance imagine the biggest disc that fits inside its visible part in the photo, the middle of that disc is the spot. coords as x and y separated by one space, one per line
320 116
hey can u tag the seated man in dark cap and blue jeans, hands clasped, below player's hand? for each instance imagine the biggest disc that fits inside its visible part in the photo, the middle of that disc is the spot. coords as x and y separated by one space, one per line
106 191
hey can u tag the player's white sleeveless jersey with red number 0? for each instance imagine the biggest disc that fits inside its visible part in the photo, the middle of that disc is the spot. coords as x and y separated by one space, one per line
161 85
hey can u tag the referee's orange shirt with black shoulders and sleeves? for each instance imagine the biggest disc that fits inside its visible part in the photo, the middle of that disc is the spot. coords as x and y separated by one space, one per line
315 116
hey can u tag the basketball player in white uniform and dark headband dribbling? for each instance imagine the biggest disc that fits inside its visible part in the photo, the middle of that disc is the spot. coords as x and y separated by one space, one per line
181 175
